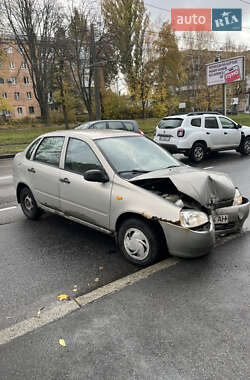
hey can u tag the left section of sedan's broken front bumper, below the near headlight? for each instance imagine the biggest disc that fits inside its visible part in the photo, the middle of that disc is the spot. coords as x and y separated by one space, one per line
183 242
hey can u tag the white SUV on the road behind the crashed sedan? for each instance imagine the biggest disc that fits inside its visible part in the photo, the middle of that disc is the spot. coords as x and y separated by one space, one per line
197 133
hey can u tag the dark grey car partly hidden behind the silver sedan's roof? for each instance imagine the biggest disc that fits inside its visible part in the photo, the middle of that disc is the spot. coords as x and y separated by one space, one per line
126 125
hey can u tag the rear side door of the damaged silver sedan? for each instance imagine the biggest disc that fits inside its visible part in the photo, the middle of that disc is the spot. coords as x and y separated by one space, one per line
45 173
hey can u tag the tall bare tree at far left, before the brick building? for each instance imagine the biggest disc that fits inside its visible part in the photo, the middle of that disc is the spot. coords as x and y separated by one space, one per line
33 24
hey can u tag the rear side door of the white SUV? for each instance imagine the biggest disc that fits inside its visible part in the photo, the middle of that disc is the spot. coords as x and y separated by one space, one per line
214 132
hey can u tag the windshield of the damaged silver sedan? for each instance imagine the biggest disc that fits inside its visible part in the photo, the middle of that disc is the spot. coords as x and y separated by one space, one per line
131 155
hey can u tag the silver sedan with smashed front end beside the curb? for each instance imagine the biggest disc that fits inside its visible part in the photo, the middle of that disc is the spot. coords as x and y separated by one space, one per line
127 186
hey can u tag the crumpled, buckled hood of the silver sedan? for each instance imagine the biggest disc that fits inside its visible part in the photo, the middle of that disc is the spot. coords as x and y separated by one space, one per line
206 187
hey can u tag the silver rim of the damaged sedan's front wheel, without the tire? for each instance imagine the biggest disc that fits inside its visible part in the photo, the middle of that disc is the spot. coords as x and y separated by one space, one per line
136 244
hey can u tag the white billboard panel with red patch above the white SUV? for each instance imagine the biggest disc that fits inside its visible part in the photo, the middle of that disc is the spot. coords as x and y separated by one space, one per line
227 71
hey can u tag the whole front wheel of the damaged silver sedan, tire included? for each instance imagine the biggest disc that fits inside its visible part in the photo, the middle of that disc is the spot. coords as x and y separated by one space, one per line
145 238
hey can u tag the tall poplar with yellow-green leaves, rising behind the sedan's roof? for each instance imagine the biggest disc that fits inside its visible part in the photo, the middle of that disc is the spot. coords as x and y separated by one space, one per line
128 23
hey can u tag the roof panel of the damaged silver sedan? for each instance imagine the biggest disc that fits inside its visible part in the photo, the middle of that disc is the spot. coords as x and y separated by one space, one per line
92 134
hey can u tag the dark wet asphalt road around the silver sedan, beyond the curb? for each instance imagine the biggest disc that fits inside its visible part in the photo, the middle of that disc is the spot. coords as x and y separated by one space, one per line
40 260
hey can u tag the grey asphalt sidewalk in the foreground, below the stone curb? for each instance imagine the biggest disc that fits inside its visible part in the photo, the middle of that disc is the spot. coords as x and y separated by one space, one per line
190 321
